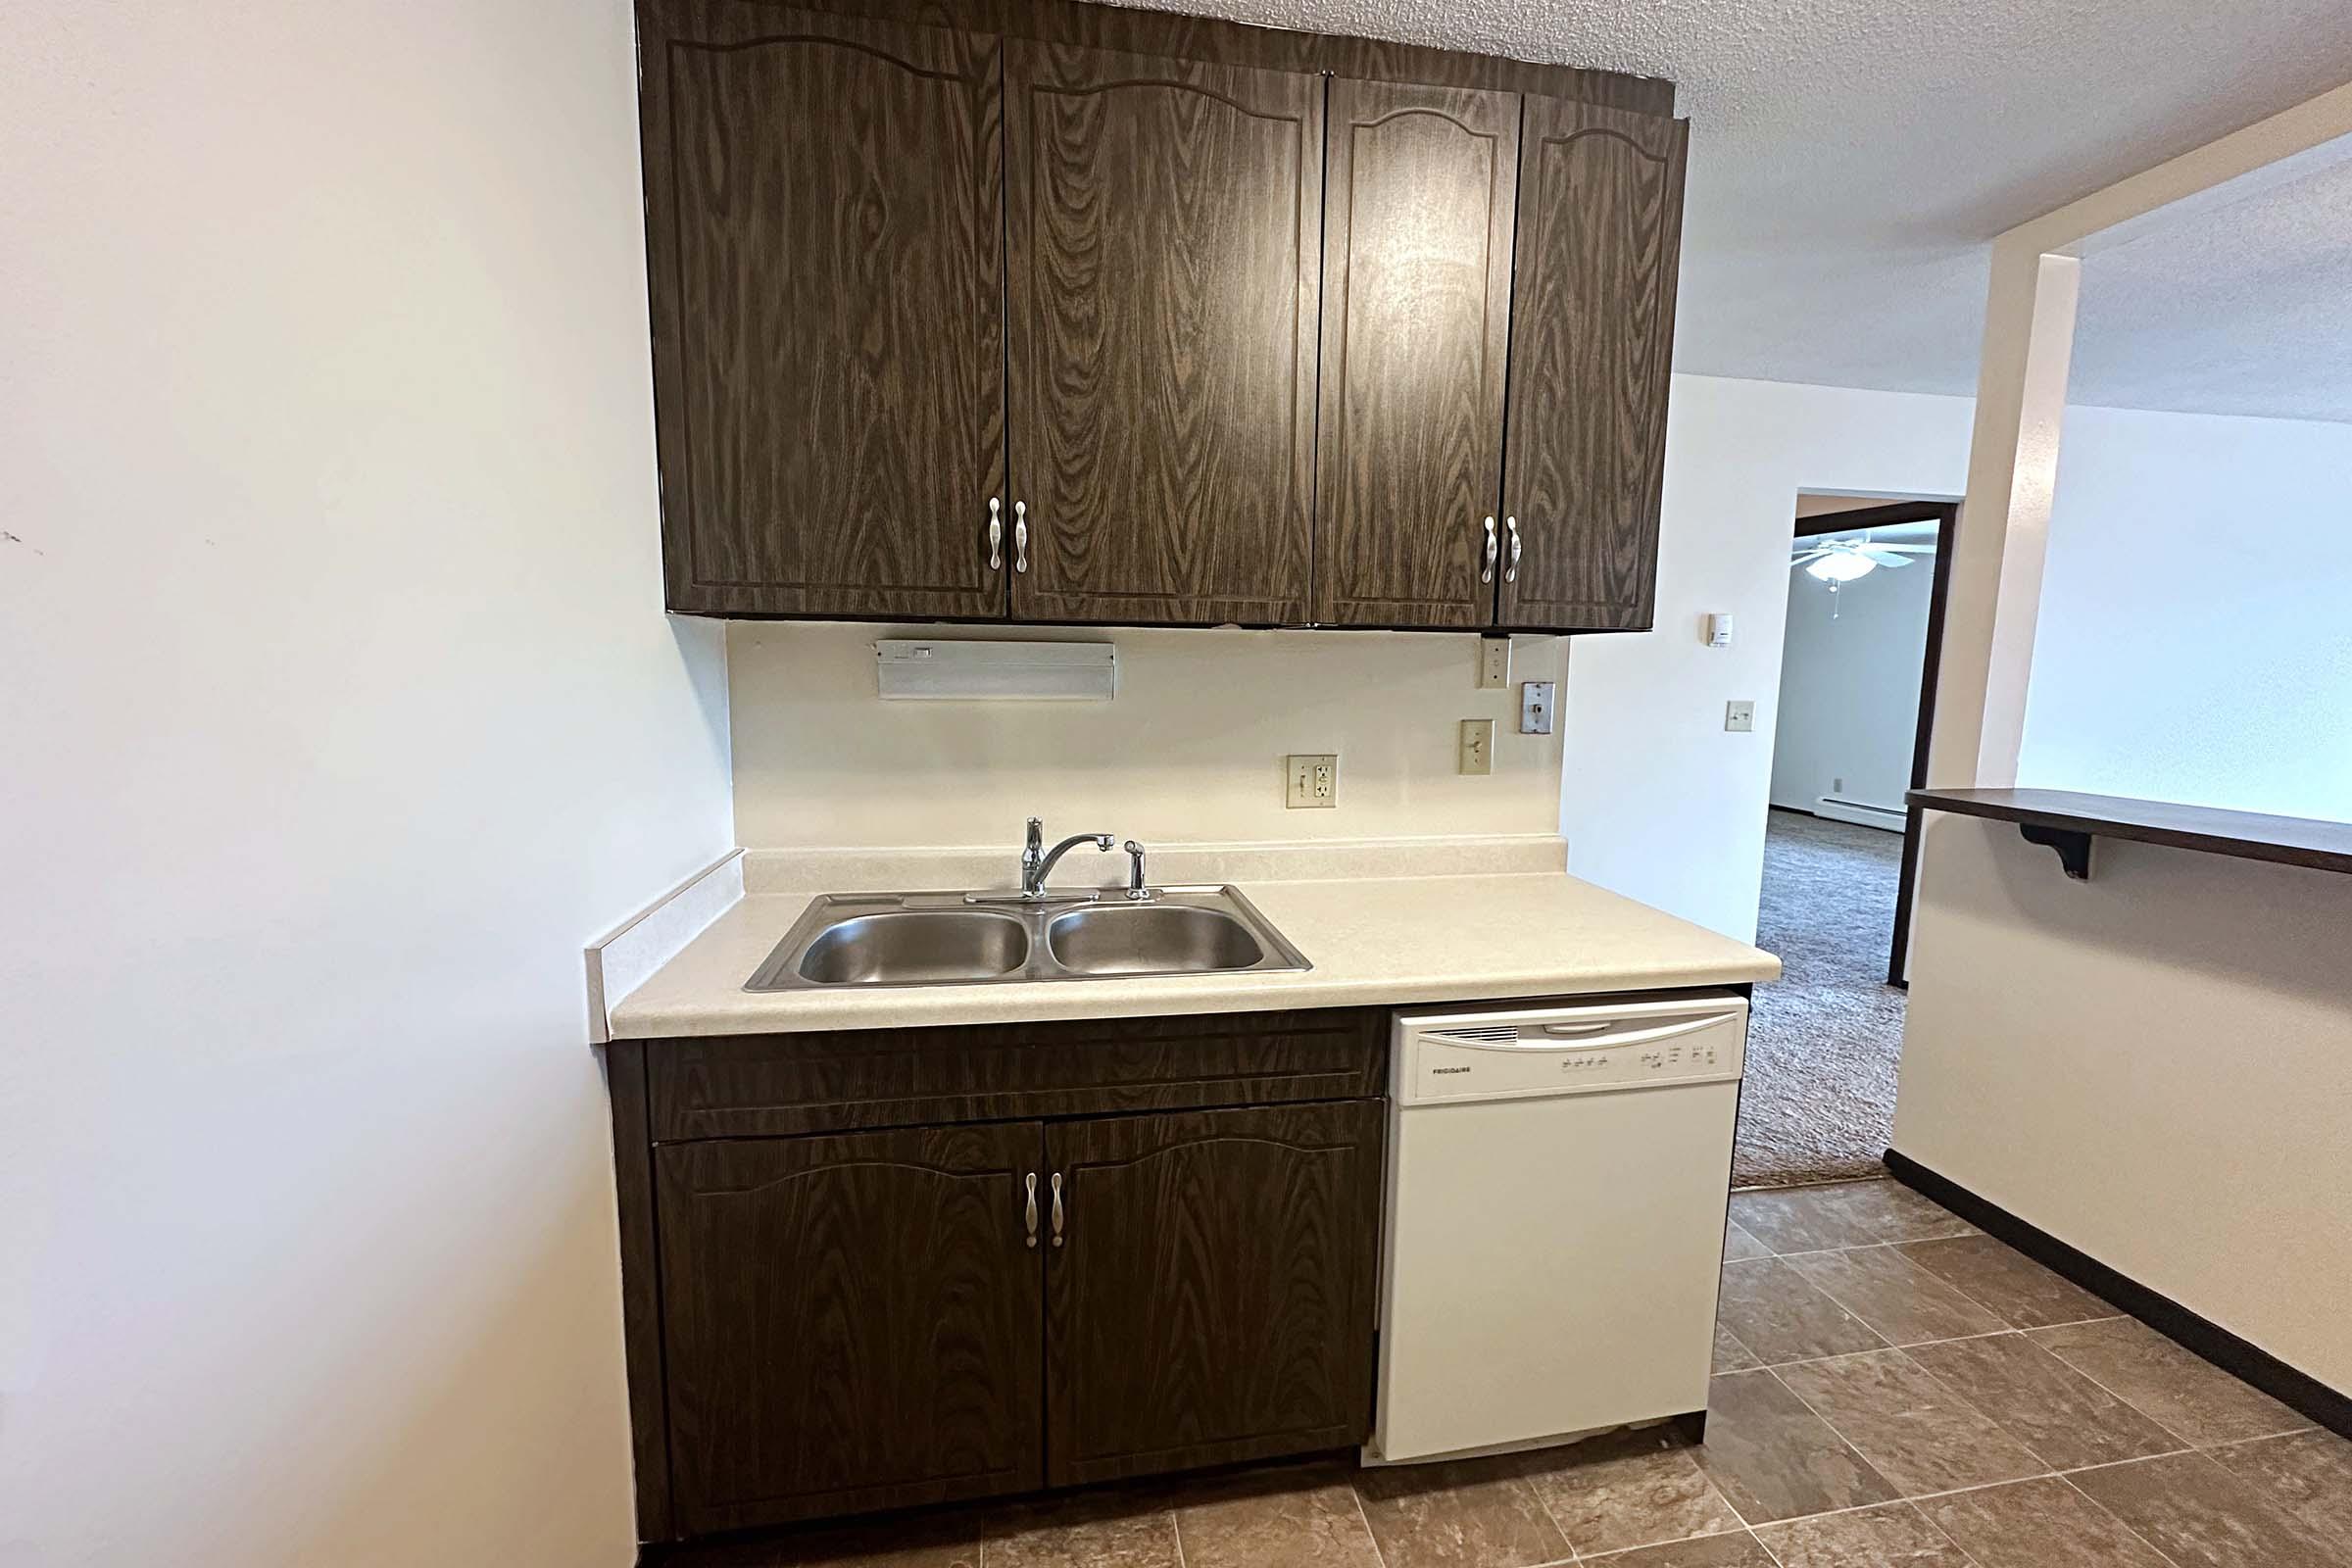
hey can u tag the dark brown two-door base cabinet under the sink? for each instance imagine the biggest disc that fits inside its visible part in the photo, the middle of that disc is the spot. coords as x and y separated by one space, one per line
860 1318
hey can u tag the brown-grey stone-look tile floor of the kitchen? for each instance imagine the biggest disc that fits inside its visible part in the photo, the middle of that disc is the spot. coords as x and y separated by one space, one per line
1892 1391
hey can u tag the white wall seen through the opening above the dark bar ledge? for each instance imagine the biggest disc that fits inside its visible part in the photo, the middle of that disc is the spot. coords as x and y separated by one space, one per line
2193 641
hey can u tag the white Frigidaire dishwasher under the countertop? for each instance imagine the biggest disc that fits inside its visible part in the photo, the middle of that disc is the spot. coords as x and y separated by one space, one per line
1556 1221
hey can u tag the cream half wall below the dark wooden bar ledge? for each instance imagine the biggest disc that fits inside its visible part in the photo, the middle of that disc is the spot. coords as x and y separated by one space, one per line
2160 1076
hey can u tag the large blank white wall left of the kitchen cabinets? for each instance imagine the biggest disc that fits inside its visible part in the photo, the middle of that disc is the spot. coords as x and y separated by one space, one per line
340 711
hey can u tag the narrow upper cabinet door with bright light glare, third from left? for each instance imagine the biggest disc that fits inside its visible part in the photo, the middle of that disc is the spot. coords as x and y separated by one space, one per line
1417 328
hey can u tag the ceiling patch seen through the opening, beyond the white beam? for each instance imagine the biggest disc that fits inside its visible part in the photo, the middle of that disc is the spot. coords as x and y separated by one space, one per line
2245 309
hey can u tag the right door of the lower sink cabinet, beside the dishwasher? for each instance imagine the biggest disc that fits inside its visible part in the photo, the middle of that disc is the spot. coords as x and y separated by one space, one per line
1215 1292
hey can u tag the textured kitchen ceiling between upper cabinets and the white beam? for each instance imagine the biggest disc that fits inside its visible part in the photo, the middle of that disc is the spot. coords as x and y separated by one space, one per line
1852 159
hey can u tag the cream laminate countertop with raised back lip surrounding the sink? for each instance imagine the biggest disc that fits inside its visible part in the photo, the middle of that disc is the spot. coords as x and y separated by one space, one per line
1382 920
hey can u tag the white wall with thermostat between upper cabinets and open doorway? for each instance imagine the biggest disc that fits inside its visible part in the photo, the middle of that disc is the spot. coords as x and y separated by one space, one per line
1659 803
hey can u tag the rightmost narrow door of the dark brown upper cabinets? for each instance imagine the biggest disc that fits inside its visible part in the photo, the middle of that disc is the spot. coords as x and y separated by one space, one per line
1591 344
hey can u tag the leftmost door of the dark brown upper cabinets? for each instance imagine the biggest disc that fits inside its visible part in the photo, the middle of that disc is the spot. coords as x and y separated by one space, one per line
824 236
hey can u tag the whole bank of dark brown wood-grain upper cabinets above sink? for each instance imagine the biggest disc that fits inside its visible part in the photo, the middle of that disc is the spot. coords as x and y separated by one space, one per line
1076 314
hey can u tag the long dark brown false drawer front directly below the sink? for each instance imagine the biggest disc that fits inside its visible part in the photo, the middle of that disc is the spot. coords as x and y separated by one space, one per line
768 1085
